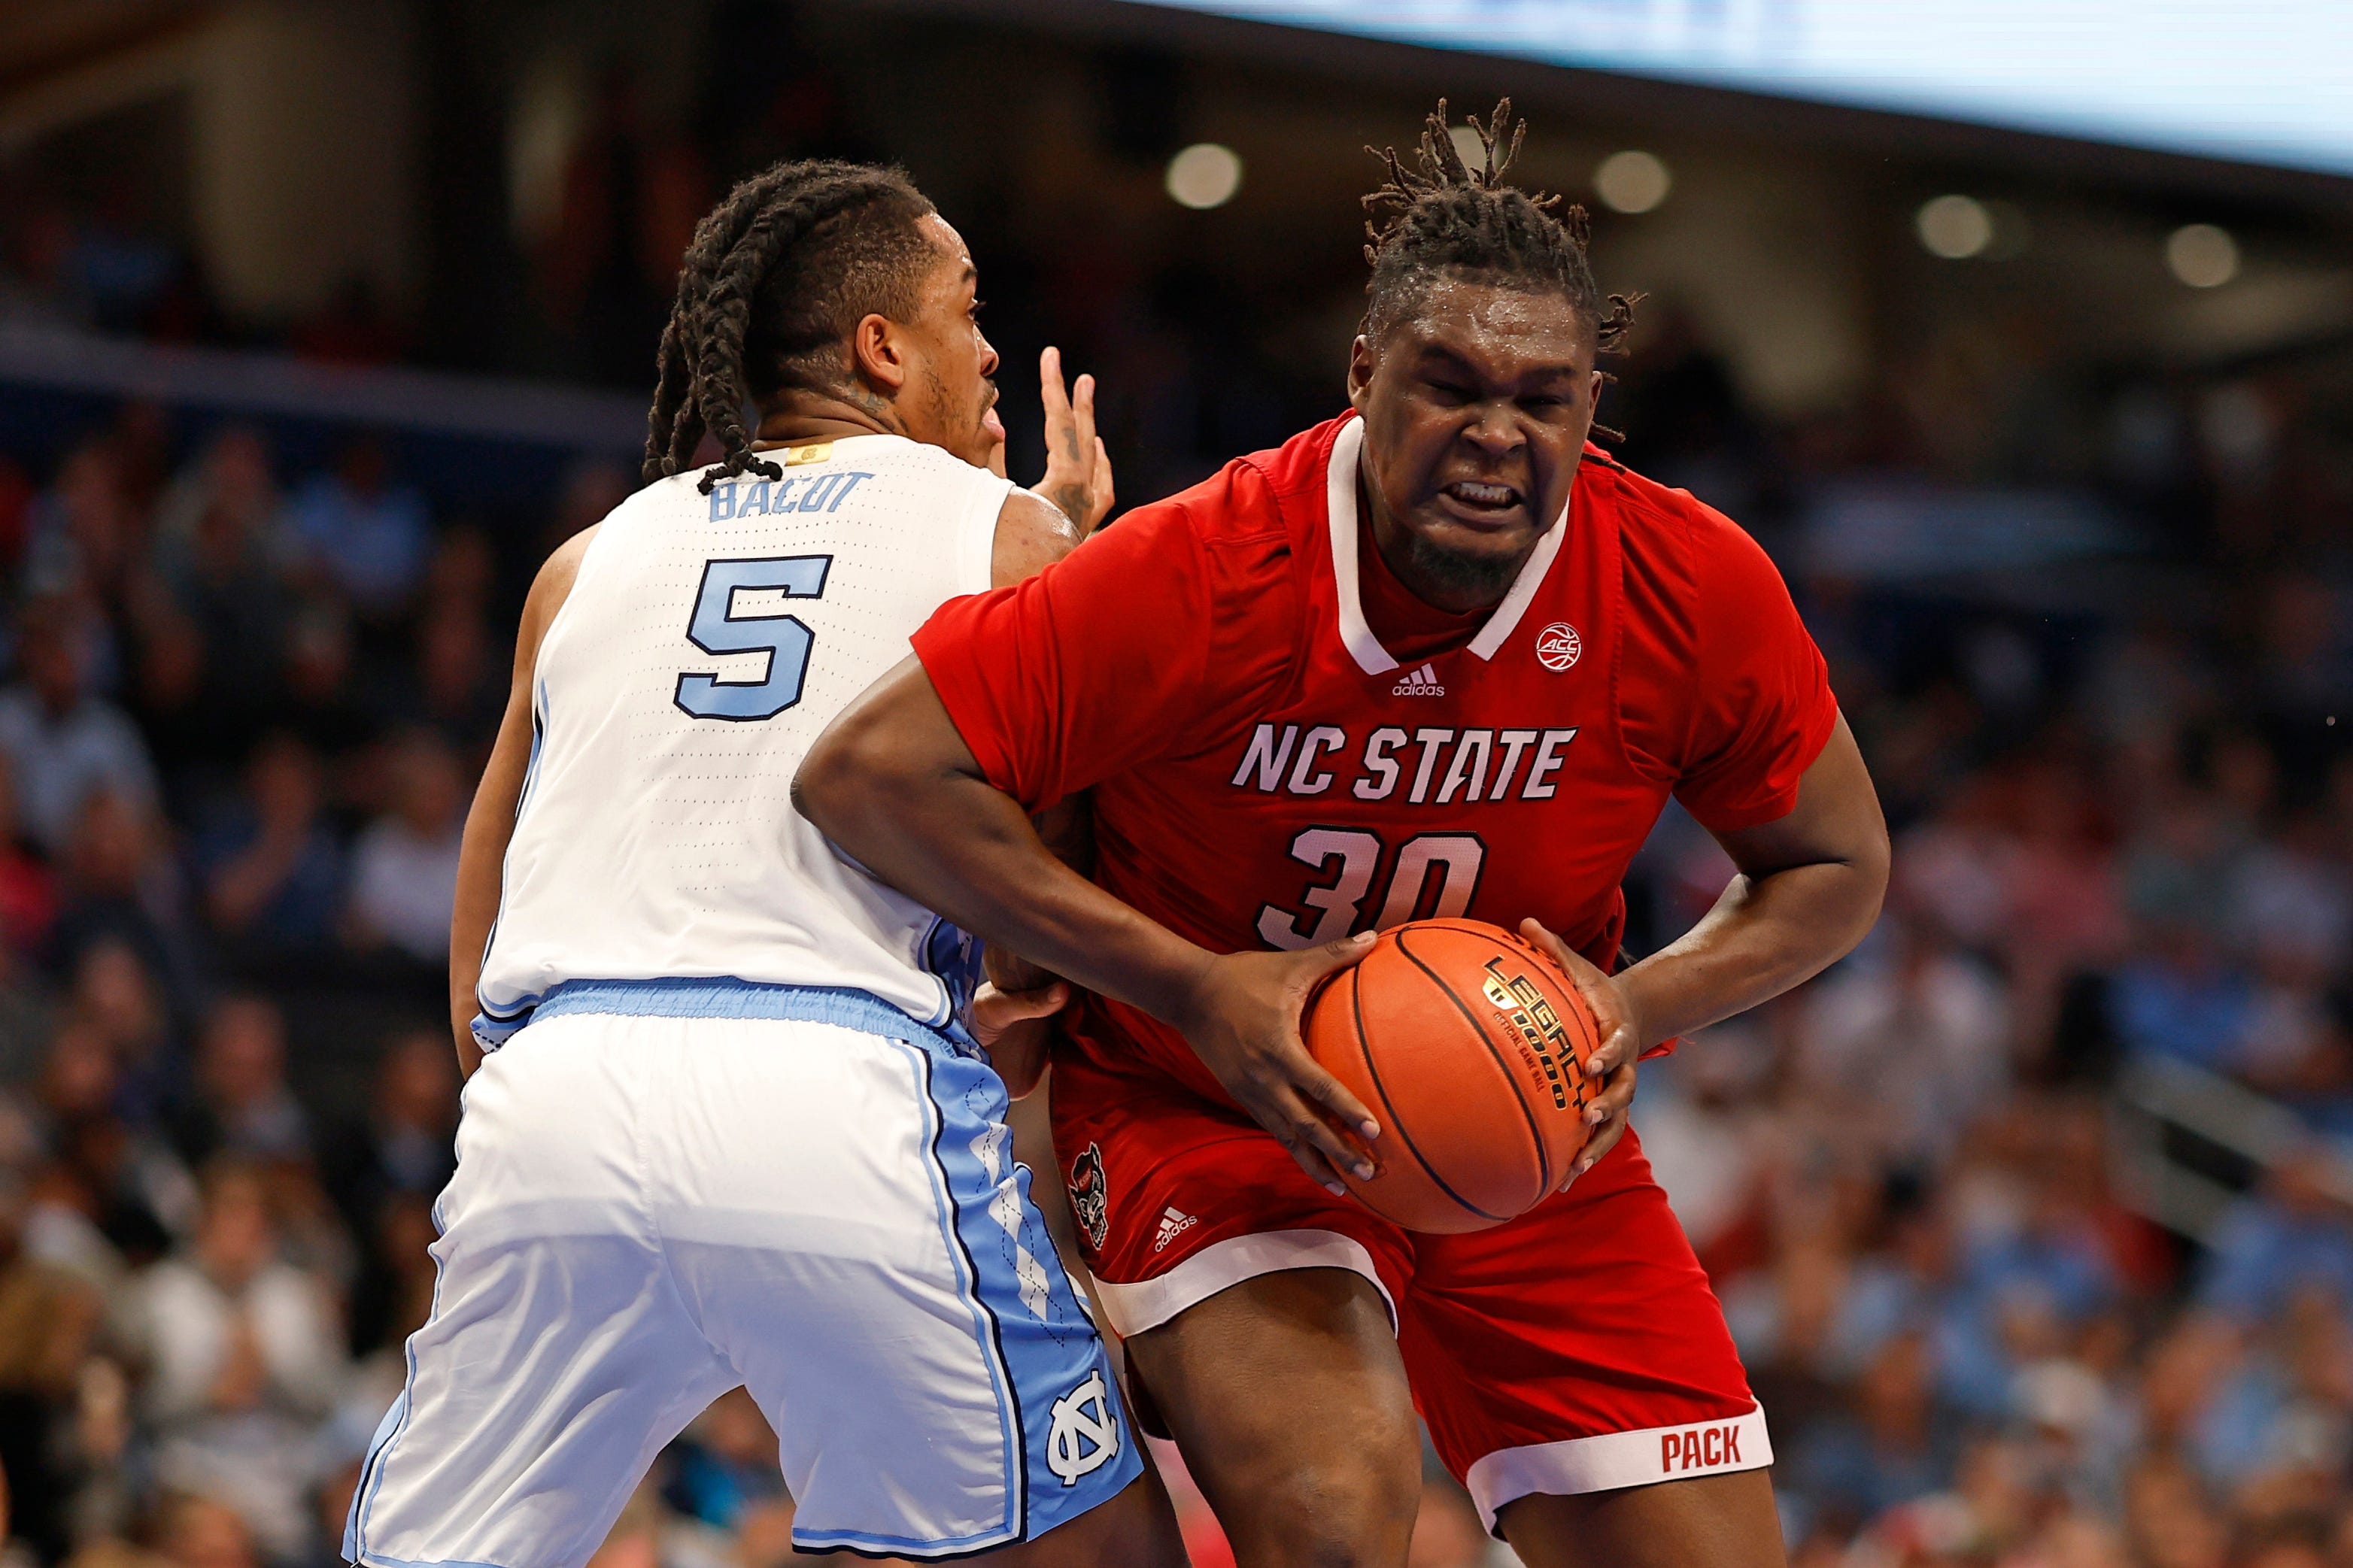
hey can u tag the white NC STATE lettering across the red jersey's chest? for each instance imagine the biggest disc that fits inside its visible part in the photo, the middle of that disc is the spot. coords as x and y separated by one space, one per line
1415 765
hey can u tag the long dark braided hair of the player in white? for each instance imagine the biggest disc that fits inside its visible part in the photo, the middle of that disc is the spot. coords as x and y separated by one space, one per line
771 288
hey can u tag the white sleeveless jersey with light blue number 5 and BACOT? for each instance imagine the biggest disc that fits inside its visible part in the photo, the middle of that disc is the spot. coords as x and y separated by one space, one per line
705 648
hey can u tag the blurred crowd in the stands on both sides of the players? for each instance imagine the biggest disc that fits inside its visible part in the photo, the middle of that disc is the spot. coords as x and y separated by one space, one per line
236 739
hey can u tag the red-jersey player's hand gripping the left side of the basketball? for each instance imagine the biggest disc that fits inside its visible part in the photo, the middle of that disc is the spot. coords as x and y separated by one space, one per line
1244 1024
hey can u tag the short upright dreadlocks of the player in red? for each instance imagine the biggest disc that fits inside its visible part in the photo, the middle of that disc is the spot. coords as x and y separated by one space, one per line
1451 220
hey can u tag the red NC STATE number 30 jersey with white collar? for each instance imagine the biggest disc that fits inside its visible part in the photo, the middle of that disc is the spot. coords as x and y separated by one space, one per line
1269 775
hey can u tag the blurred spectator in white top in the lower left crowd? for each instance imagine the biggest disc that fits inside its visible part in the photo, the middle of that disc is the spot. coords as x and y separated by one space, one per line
244 1360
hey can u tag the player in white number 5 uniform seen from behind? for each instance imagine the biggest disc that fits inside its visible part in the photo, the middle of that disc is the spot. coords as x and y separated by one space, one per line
731 1118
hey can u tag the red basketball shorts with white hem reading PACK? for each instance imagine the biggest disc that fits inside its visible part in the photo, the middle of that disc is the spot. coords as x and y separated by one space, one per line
1573 1351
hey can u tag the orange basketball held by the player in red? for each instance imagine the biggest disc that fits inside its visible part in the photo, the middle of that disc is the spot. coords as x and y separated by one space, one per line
1467 1045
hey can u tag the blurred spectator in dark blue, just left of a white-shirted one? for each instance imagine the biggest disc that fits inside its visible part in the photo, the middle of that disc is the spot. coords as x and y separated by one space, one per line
272 866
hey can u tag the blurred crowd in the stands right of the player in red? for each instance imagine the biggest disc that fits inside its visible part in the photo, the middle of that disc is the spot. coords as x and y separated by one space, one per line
2034 1217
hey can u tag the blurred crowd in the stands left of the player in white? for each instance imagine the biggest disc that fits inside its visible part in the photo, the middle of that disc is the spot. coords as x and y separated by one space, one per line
239 732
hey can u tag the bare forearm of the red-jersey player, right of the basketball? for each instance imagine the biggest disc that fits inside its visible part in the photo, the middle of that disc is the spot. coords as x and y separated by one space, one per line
1761 939
